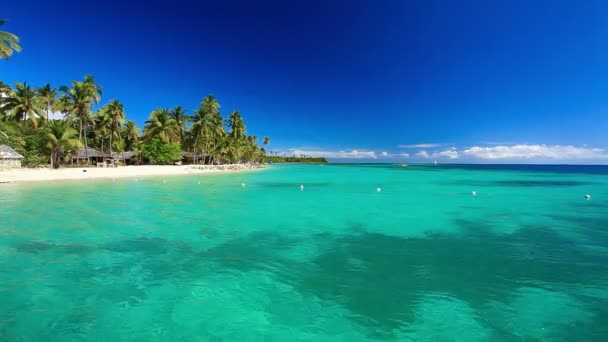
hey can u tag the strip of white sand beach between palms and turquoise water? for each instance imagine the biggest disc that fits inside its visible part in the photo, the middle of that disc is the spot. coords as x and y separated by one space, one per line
25 175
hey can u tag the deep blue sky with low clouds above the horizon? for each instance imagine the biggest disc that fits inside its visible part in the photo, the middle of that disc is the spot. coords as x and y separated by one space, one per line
456 81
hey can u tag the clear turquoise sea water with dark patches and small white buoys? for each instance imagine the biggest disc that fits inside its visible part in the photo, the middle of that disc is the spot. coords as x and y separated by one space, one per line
525 259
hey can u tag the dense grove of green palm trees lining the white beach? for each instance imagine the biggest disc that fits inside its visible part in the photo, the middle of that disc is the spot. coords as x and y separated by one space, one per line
29 123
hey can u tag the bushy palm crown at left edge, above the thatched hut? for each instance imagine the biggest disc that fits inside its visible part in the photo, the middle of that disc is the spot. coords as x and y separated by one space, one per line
23 103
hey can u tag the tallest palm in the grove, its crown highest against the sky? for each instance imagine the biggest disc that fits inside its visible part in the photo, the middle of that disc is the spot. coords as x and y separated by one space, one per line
83 95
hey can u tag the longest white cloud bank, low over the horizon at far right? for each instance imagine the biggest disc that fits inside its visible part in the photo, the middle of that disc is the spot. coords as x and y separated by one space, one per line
537 153
